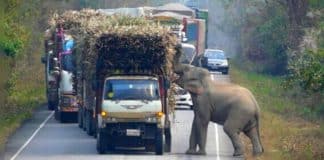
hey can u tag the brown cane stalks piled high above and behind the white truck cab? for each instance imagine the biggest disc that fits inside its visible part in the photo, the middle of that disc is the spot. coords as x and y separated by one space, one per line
112 43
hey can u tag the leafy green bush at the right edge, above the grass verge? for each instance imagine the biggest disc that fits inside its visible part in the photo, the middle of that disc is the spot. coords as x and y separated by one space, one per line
307 71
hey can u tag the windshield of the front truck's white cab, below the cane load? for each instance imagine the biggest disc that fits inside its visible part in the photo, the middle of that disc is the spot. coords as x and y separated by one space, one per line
126 89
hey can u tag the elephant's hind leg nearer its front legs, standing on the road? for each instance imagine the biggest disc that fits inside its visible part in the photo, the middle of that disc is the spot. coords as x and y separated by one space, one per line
232 129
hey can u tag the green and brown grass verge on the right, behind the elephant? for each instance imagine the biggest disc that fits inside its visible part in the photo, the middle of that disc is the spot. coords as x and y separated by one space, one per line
285 131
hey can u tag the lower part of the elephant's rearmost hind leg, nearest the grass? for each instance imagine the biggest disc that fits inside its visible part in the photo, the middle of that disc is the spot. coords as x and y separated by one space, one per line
255 140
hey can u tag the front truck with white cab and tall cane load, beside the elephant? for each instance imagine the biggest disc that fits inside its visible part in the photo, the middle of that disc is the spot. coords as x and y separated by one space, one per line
132 93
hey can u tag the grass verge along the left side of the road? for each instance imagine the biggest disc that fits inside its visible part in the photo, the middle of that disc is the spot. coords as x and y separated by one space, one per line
24 94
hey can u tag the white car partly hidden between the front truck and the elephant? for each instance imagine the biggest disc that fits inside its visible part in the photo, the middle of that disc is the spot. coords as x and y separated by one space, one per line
183 99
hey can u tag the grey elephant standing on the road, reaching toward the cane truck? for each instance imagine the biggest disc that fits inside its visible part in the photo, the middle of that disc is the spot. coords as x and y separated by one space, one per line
229 105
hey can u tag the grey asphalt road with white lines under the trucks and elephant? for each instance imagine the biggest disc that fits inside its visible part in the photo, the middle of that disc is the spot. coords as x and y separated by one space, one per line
43 138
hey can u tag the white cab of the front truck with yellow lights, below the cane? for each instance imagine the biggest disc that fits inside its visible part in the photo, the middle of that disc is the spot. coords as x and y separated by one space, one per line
131 113
